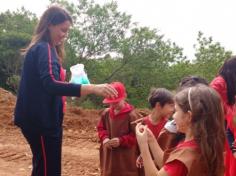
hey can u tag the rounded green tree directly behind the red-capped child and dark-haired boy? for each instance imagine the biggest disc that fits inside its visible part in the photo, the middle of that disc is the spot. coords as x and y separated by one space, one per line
146 57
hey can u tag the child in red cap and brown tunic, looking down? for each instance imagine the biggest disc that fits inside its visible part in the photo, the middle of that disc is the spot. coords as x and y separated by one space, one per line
118 150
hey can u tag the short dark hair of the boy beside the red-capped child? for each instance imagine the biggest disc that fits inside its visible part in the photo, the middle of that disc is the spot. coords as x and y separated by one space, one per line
160 95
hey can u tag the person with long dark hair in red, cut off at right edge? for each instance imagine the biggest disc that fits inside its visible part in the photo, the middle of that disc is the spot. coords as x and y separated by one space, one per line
225 85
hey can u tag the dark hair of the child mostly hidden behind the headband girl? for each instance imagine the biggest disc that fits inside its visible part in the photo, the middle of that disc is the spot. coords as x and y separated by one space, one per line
189 81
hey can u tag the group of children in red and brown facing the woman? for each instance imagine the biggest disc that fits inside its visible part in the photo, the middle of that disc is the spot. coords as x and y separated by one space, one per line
183 134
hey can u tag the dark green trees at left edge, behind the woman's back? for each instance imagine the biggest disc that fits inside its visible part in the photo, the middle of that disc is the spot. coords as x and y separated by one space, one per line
16 29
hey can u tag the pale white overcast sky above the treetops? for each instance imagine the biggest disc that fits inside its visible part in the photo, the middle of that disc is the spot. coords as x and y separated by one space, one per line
177 20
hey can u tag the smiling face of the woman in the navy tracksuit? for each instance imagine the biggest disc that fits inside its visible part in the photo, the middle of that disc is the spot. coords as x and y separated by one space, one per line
59 32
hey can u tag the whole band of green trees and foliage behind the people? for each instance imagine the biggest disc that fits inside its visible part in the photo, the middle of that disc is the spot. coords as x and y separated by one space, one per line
112 48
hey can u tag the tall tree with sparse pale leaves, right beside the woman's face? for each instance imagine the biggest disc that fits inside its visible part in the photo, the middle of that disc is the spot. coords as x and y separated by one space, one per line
97 29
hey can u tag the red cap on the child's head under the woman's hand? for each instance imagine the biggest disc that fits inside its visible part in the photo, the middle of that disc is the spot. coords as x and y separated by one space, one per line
120 88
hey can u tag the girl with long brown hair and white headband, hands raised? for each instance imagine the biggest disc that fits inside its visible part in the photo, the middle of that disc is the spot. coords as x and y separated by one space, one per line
199 115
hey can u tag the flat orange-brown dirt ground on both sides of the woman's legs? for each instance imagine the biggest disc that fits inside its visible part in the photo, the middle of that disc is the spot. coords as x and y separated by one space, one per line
80 158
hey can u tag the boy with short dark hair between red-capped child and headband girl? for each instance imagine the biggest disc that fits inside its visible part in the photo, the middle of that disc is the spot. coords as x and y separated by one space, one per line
162 104
